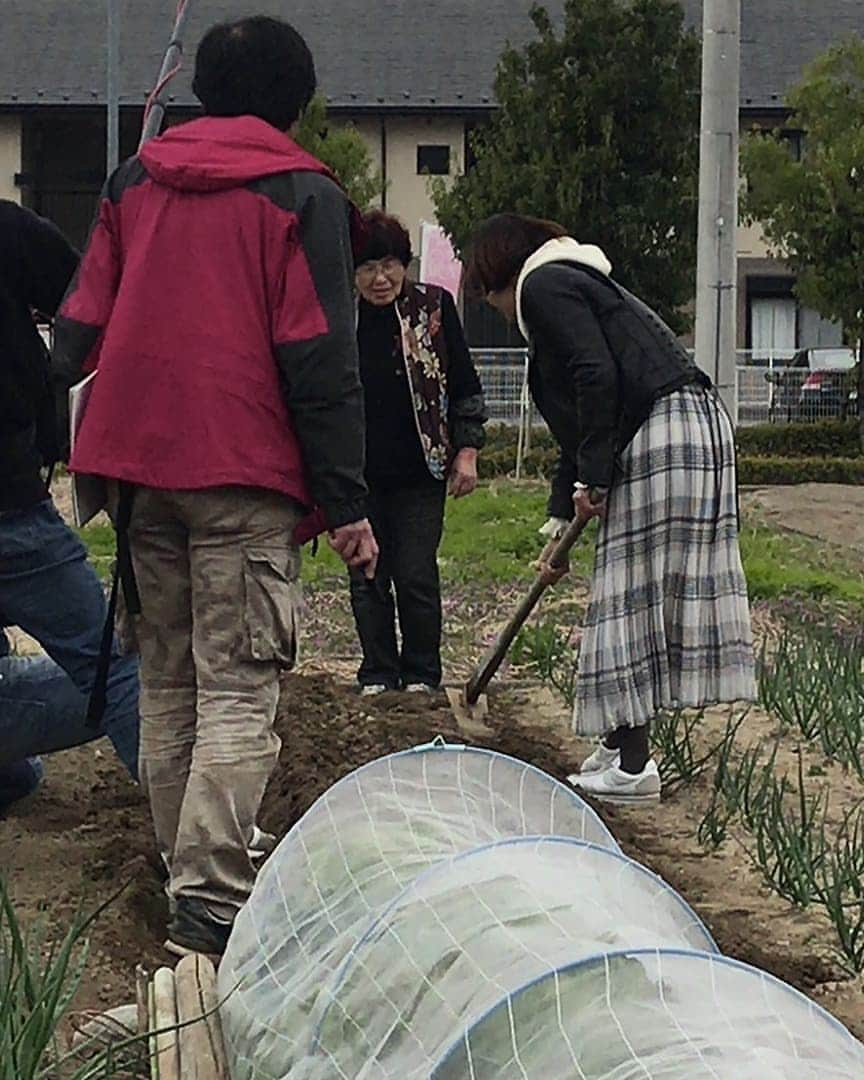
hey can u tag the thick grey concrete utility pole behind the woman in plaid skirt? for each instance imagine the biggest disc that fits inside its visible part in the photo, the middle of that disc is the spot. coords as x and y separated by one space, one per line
718 263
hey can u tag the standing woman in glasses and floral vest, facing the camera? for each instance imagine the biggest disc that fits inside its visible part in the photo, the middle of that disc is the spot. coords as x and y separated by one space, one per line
425 416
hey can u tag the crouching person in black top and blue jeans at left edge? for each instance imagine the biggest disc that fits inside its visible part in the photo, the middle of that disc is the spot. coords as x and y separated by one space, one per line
48 588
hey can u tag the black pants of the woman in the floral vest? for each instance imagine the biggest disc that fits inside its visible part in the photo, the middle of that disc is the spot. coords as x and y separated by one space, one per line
408 522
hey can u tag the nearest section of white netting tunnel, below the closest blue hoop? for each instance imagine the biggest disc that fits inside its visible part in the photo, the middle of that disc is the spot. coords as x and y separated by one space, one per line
666 1016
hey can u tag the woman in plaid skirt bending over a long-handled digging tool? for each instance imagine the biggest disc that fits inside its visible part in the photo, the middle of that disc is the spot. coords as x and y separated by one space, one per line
649 448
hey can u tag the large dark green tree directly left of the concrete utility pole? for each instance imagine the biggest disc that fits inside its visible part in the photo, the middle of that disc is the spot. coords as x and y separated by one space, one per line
598 128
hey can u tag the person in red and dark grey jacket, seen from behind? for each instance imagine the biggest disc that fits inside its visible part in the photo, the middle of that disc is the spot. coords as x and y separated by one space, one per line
215 304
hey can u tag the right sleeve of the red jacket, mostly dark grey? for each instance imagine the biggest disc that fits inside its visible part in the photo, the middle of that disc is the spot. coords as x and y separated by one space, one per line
320 369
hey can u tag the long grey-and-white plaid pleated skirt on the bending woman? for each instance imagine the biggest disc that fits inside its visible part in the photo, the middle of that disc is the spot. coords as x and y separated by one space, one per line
669 623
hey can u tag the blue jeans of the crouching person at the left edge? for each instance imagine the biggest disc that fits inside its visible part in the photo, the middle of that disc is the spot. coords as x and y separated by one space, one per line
50 590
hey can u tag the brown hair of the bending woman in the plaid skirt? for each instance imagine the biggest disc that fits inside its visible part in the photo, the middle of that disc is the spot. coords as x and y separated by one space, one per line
499 248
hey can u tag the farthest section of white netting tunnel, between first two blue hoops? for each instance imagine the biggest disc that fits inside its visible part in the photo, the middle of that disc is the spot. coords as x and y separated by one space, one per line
360 845
